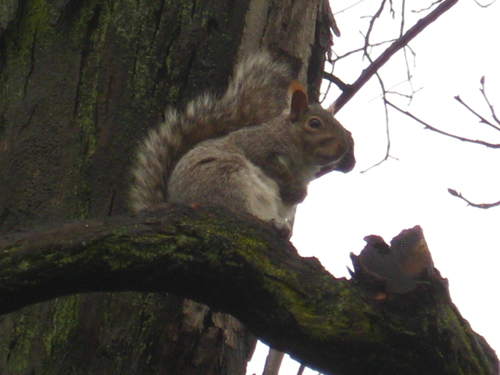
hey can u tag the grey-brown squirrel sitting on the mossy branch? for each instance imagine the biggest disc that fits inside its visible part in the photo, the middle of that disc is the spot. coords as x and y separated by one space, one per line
255 149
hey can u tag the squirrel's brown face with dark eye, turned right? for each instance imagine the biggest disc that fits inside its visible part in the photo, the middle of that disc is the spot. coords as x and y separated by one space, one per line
324 139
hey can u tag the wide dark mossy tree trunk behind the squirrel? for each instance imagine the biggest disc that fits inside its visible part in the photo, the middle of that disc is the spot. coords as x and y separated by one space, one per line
81 81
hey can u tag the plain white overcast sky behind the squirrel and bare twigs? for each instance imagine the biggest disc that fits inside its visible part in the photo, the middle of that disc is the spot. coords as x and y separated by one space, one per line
451 56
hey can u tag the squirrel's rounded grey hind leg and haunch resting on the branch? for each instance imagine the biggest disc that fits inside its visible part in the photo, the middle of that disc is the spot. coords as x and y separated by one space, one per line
208 176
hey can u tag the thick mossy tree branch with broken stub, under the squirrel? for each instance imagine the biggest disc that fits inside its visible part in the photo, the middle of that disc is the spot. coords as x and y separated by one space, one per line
394 317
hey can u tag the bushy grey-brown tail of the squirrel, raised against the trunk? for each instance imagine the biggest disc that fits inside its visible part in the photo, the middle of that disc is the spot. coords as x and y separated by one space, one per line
257 93
